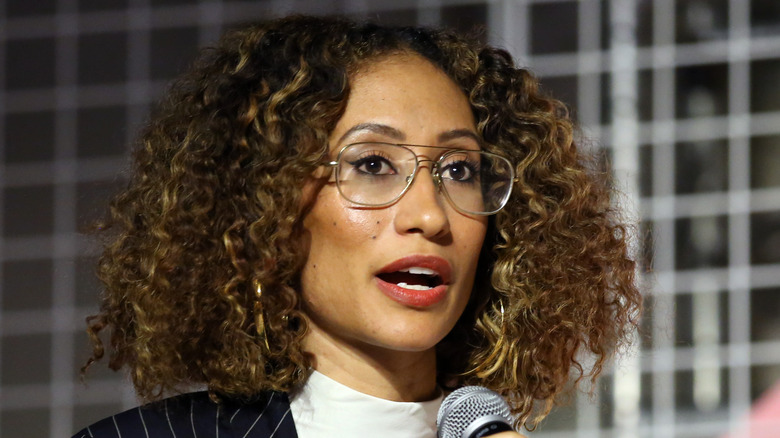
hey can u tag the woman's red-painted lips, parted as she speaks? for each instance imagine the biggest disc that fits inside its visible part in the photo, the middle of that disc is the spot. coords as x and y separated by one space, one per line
413 297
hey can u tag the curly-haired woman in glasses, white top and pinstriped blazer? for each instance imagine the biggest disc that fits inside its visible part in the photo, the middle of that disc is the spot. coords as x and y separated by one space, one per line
330 225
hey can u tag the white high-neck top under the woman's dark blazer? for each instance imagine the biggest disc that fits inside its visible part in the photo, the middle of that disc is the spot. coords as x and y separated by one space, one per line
325 408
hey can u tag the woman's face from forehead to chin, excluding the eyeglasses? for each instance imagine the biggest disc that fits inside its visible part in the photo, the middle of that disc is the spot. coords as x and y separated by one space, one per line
358 254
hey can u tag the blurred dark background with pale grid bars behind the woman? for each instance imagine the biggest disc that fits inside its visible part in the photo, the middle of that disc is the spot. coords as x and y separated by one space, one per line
684 94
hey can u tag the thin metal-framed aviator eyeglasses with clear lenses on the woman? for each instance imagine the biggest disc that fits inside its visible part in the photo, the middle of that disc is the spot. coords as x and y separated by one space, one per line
376 174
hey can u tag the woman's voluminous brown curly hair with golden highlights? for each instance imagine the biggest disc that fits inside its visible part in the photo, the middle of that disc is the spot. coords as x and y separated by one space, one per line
215 203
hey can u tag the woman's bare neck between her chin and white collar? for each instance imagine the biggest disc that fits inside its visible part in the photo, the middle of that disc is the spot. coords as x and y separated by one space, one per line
406 376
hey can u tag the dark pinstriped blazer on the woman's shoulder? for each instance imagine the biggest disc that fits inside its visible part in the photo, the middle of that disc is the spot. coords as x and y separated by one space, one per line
195 415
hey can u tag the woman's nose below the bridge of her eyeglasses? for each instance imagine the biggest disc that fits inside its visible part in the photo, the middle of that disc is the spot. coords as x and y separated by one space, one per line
421 209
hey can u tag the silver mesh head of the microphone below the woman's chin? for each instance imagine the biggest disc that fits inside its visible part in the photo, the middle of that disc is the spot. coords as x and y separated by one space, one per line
466 405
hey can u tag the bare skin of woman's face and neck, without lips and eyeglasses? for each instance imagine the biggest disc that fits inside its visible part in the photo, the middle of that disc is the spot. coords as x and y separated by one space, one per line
358 335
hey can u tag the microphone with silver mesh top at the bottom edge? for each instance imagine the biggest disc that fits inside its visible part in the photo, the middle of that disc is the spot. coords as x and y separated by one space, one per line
473 412
